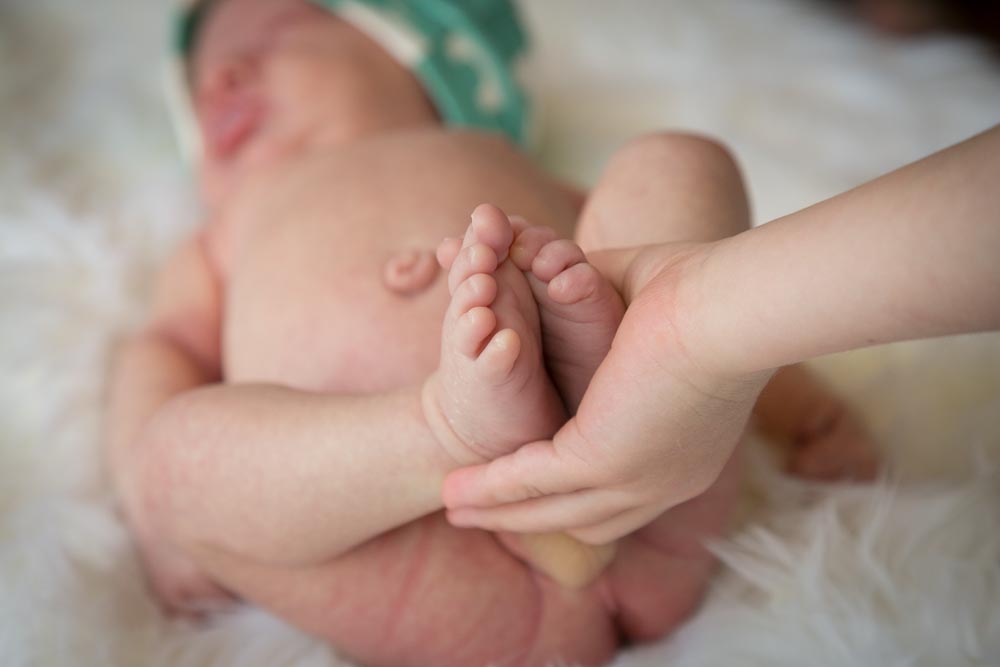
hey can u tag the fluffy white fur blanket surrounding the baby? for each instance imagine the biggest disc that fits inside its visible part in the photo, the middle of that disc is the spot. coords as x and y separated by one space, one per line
91 197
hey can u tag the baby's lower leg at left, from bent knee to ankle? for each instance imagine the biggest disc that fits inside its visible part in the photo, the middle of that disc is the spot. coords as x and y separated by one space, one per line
284 476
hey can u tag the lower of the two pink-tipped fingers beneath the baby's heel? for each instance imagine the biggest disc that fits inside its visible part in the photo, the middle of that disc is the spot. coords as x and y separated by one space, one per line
554 513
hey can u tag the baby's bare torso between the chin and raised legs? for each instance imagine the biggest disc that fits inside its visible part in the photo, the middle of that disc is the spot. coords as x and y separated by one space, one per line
303 250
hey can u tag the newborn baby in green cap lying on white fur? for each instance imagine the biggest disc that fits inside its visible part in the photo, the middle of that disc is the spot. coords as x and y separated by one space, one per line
280 429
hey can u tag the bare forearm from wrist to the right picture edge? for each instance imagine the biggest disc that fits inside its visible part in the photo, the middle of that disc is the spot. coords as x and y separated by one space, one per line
912 254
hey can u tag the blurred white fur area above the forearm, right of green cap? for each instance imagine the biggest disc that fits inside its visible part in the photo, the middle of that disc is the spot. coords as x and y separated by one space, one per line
815 96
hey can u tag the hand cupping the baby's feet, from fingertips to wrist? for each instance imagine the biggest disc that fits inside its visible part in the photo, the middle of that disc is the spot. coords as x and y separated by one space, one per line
654 429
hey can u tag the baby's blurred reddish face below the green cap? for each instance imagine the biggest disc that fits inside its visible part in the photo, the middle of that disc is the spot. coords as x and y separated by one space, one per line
272 78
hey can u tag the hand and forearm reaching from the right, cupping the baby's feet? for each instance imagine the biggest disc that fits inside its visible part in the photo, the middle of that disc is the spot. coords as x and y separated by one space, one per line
894 259
